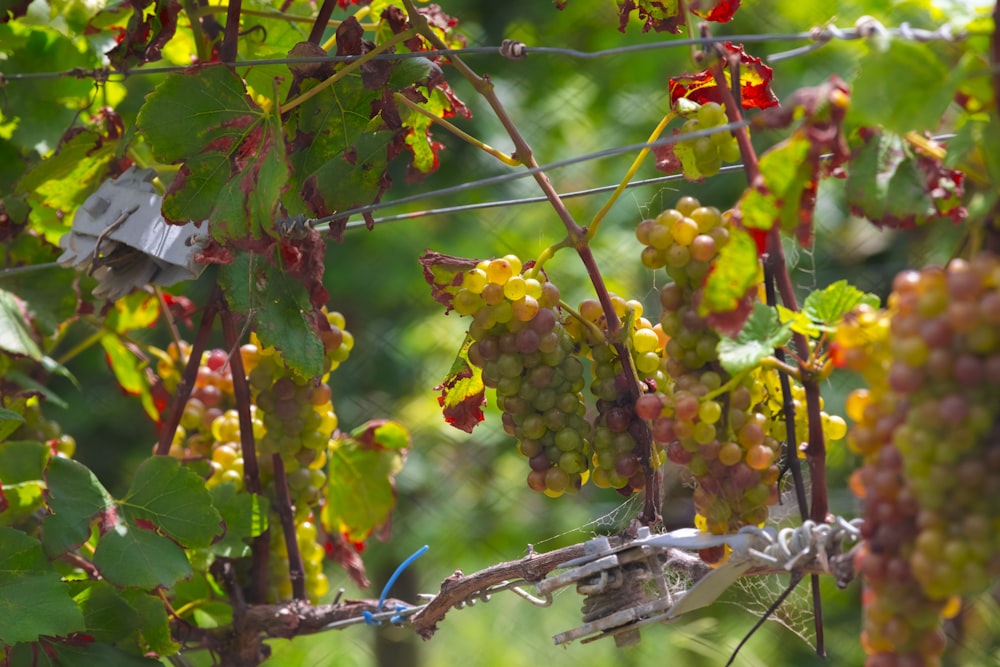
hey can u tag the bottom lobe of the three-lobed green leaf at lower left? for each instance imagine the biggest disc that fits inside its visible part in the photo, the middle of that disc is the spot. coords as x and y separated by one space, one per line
130 556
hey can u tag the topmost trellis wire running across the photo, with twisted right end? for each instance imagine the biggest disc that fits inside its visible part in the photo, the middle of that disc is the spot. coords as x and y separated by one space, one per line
865 28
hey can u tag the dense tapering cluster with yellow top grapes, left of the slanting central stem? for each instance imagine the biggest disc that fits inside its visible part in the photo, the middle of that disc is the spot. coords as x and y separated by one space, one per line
526 354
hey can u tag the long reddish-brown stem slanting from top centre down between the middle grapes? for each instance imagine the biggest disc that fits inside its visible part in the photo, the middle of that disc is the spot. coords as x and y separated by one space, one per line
578 238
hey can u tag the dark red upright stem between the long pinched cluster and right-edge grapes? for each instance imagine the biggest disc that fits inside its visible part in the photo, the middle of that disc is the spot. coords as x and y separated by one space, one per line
775 259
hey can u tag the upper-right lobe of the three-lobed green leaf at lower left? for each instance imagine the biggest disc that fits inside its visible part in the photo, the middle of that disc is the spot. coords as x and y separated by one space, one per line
173 499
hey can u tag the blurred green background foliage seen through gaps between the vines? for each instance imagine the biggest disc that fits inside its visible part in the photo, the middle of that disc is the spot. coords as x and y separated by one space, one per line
464 495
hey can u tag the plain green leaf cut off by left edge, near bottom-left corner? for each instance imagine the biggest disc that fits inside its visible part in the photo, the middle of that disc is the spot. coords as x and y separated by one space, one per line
33 601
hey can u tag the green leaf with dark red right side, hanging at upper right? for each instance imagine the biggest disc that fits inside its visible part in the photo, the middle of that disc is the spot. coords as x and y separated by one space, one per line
894 185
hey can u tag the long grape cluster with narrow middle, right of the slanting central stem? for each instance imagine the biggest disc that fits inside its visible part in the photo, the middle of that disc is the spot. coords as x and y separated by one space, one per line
718 431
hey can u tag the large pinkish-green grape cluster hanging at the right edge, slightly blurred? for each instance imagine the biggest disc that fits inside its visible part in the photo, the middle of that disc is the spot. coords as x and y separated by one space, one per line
927 428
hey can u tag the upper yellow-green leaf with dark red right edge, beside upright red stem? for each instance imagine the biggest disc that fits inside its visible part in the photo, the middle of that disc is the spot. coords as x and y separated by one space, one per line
787 185
